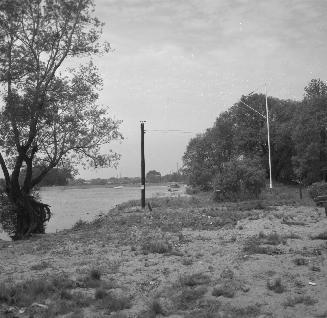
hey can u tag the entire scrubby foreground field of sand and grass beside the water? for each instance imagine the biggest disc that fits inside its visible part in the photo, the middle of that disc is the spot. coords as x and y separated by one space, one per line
189 257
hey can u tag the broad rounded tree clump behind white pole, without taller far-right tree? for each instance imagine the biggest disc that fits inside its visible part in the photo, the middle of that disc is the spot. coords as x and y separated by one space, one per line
241 132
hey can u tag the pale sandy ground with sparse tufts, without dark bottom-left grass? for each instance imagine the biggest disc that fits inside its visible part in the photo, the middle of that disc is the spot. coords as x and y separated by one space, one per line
216 258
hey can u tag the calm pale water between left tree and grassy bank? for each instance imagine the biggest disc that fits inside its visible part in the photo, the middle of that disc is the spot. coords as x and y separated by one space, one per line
69 205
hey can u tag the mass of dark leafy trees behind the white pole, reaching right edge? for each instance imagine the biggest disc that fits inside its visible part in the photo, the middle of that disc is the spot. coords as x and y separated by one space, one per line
297 133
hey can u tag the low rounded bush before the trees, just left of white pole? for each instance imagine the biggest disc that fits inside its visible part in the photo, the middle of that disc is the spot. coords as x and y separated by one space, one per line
239 180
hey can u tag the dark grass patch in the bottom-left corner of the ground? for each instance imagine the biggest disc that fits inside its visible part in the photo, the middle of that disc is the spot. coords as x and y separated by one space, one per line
60 295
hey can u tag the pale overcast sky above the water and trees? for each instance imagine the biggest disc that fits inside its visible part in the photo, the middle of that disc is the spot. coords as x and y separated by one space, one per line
177 64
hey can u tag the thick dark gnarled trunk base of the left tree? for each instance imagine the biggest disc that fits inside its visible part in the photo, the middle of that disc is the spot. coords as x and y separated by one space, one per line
31 215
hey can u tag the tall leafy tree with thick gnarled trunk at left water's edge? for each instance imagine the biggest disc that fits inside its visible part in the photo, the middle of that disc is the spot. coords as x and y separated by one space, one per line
48 117
